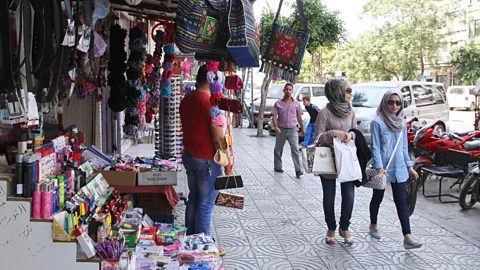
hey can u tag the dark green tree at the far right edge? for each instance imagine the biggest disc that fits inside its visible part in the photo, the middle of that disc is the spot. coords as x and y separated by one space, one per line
467 63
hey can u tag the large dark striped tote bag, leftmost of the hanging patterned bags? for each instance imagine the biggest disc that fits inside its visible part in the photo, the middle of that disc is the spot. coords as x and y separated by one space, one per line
198 26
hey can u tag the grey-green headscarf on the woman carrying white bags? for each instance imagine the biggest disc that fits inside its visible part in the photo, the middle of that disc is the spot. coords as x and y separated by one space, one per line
336 98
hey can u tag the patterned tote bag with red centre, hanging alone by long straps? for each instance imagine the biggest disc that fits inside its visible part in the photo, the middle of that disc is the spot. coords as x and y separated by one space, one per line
284 53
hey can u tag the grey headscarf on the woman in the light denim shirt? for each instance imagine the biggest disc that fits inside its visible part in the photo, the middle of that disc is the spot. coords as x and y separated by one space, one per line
394 121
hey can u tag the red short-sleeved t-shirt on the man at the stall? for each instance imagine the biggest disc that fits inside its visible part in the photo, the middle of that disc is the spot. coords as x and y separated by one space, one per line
196 121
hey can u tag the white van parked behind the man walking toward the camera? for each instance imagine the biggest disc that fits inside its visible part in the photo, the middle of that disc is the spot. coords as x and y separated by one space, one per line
315 91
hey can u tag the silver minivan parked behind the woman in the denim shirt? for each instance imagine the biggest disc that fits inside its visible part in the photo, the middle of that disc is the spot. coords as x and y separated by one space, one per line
425 100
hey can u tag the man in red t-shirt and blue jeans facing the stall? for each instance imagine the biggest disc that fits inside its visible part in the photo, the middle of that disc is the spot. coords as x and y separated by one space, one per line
200 140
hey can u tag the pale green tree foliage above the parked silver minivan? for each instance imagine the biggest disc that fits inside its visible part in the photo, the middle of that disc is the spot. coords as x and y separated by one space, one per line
402 46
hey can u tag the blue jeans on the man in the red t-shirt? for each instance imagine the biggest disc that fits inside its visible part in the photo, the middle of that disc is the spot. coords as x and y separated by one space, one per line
201 176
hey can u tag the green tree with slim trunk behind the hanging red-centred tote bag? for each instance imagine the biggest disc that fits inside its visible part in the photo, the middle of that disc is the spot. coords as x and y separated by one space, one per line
325 28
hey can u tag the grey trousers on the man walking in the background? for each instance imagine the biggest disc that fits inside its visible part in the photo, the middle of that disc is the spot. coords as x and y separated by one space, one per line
291 135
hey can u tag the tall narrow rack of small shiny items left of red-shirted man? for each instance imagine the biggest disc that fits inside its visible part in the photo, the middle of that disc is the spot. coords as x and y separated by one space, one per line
169 134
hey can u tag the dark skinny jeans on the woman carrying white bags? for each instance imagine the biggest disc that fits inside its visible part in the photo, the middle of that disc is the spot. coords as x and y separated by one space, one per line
348 196
